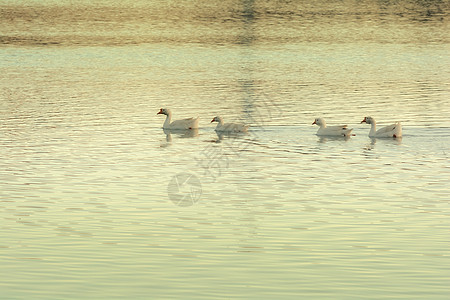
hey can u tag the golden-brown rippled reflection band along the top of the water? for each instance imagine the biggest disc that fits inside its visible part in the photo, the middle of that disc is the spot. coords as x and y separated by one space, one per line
223 22
